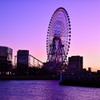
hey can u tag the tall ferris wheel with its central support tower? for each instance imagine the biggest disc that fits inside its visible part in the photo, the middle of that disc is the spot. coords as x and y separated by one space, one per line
58 37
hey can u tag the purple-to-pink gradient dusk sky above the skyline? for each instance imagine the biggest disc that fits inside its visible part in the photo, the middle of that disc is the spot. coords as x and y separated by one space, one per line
24 24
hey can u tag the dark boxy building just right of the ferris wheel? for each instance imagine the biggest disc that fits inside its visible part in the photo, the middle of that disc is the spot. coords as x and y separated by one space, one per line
75 63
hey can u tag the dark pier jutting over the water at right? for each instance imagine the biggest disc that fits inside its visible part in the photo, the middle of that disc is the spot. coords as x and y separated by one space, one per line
80 79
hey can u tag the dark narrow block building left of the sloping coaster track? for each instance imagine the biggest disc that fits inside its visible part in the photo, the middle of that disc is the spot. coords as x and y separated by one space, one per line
22 61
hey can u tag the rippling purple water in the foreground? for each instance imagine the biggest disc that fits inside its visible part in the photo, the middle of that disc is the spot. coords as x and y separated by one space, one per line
45 90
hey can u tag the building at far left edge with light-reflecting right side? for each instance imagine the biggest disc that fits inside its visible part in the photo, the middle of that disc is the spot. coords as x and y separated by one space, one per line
5 59
